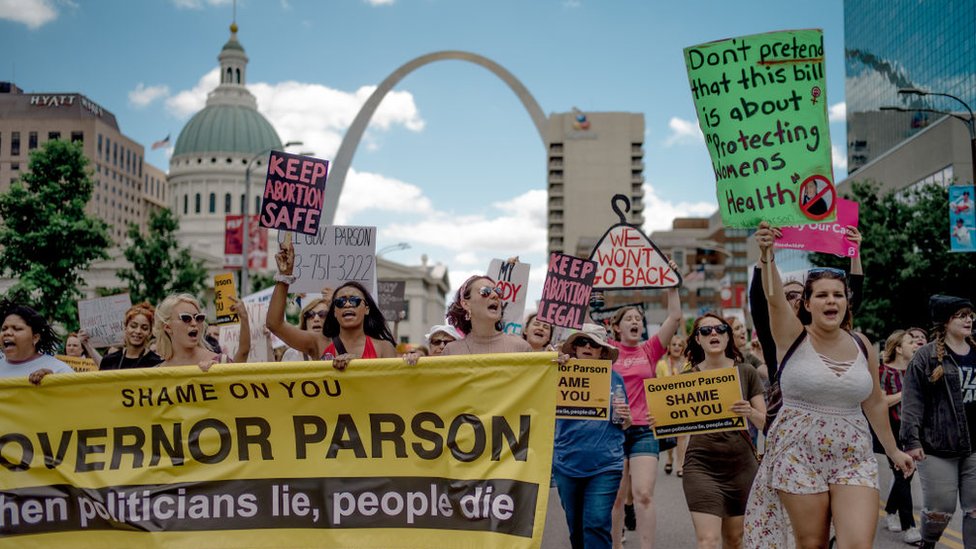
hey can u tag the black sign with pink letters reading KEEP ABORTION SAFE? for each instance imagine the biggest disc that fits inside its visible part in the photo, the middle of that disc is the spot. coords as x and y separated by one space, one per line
293 193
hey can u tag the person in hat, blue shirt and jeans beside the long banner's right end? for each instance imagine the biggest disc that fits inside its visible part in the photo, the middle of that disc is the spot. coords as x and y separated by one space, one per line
588 455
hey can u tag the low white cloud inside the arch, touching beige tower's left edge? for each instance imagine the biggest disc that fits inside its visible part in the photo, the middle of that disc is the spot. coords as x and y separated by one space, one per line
519 228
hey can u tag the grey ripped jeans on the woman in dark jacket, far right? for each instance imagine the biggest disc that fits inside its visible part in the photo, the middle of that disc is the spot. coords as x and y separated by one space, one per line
943 481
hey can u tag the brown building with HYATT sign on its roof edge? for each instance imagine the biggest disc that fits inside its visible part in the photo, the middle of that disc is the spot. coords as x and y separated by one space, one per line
126 189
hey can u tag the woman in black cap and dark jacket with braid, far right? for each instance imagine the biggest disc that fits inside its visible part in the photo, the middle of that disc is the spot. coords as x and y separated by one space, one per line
938 418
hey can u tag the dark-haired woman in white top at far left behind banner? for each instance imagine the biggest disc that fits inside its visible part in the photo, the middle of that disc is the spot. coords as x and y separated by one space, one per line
28 343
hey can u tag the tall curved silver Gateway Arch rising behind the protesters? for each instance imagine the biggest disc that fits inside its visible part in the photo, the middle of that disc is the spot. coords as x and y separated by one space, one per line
350 142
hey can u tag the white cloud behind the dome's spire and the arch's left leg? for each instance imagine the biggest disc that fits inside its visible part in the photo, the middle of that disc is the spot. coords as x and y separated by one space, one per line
312 113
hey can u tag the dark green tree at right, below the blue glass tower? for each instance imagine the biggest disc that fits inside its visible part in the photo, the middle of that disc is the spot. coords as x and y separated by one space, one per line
905 255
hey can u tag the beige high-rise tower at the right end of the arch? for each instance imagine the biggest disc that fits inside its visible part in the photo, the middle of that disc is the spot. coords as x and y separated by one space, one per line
592 157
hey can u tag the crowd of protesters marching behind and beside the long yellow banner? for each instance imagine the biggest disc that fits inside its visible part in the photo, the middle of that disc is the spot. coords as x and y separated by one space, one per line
833 400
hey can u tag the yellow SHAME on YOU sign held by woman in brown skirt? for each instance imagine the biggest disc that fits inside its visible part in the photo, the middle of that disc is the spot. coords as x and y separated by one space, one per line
694 403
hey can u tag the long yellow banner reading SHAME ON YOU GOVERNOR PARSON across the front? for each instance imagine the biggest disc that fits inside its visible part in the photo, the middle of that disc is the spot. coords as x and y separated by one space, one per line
455 452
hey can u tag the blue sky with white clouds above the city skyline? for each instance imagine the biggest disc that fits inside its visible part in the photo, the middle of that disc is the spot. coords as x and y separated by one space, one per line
452 164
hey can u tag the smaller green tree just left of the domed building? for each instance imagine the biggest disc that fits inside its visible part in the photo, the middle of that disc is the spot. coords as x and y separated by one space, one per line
160 267
